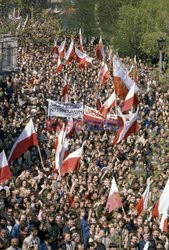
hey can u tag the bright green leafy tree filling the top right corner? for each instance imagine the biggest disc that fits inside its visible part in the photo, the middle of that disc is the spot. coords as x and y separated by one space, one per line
139 27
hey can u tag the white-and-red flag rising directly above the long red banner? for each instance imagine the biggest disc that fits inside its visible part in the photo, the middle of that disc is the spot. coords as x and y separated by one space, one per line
108 105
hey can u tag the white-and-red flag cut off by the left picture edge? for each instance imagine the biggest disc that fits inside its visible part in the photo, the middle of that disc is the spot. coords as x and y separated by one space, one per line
5 172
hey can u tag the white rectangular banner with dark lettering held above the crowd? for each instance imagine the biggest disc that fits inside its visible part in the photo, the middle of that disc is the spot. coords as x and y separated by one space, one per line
61 109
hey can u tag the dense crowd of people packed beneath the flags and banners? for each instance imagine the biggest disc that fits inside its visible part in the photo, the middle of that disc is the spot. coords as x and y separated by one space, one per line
38 209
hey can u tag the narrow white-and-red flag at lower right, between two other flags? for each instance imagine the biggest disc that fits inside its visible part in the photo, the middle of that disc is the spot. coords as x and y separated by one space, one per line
143 202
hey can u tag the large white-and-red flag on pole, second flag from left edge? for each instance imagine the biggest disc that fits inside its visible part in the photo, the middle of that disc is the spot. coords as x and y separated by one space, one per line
27 139
